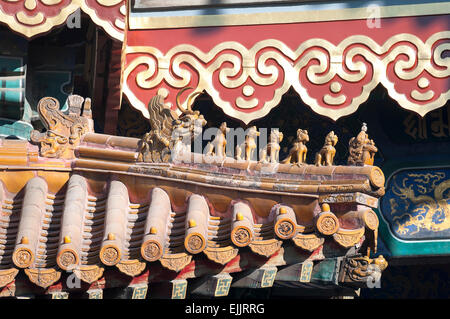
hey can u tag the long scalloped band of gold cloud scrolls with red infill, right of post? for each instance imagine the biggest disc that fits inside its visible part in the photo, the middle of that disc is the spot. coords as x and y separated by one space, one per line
332 79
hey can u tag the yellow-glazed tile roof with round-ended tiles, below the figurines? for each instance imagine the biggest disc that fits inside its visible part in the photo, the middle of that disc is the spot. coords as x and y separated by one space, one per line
103 209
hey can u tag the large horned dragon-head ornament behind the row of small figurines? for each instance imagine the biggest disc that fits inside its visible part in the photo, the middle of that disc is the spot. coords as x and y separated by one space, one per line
168 130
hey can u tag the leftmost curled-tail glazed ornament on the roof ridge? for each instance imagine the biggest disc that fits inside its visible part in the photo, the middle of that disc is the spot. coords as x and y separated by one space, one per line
64 131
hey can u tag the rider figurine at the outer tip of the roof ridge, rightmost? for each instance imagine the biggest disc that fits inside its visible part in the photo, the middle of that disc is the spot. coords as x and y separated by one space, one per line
362 149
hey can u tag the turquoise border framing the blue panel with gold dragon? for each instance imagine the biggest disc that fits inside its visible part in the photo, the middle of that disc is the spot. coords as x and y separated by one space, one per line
399 247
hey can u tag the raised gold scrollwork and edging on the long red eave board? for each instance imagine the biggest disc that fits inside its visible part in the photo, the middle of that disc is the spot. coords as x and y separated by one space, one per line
168 67
